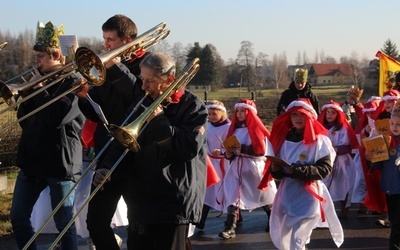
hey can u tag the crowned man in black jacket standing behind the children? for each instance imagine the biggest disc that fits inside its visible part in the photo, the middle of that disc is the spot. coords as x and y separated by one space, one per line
299 88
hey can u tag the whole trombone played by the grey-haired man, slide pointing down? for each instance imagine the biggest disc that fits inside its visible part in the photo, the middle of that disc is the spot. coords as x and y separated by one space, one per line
188 73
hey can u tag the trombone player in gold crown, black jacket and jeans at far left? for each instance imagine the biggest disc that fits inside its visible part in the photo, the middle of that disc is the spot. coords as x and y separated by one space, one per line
50 150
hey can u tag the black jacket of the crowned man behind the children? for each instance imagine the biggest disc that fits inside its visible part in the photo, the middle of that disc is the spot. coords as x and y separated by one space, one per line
292 93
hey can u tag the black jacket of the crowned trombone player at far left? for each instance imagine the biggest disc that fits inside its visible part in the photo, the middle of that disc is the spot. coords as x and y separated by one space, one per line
50 143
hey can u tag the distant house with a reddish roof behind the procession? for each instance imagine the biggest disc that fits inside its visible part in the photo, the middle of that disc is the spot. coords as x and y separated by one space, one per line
320 74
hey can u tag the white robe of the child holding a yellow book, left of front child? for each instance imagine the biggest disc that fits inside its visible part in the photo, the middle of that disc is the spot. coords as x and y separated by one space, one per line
243 176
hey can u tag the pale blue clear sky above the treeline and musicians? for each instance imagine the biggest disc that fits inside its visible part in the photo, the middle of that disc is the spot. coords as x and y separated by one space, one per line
352 28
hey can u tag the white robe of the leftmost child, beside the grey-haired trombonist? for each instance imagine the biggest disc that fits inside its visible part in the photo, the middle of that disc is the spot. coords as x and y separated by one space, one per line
214 194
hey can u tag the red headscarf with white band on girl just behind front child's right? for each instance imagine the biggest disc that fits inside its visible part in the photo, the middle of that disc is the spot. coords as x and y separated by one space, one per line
342 121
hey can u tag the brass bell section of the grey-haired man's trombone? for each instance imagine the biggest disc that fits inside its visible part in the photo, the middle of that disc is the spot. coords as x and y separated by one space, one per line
128 135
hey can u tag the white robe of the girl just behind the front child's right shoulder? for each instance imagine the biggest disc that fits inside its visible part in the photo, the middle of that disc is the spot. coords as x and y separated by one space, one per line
341 182
